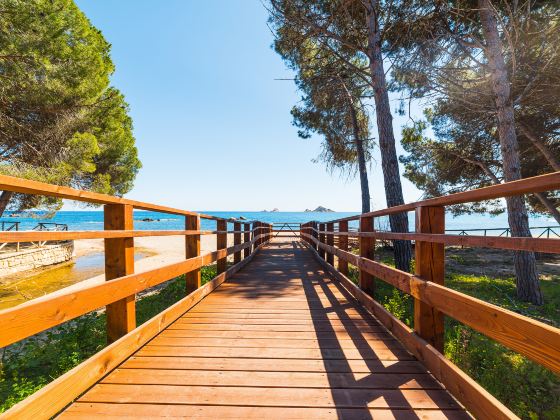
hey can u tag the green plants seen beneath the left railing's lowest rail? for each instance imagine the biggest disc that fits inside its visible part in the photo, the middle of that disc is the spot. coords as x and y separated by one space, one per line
27 366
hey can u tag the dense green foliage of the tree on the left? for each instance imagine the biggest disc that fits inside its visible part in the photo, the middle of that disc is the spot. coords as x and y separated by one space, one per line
61 122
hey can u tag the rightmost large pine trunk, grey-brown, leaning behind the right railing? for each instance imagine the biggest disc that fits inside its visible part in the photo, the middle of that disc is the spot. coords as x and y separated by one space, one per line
527 278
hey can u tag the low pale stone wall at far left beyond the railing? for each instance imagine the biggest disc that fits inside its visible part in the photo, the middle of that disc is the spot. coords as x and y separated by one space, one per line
31 258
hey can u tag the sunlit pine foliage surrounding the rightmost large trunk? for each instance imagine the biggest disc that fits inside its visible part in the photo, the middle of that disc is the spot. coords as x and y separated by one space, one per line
450 70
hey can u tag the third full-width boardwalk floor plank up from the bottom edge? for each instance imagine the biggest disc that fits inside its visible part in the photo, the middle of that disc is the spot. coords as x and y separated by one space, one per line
271 379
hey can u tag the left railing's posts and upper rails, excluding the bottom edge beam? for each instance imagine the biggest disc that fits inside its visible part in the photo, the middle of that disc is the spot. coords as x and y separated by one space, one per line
46 312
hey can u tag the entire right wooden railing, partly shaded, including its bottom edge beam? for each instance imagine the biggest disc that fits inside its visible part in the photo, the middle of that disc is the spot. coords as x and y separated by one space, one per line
432 300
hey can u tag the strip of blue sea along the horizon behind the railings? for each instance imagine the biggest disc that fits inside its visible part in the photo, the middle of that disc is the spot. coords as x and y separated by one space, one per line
93 220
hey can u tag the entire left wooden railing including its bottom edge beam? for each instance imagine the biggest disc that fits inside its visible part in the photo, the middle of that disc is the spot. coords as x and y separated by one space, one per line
118 293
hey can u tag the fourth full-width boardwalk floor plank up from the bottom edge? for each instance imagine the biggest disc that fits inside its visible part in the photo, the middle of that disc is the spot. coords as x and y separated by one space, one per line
358 366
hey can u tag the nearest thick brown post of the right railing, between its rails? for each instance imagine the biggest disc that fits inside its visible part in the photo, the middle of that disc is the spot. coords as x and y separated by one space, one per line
430 266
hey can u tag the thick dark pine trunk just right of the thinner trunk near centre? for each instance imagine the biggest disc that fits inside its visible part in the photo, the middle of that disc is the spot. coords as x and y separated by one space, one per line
389 161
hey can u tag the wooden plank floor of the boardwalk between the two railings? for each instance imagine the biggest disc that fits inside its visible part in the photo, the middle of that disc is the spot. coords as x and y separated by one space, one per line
280 339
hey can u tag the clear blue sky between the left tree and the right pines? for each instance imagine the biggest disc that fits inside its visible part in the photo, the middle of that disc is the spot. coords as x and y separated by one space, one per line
212 126
